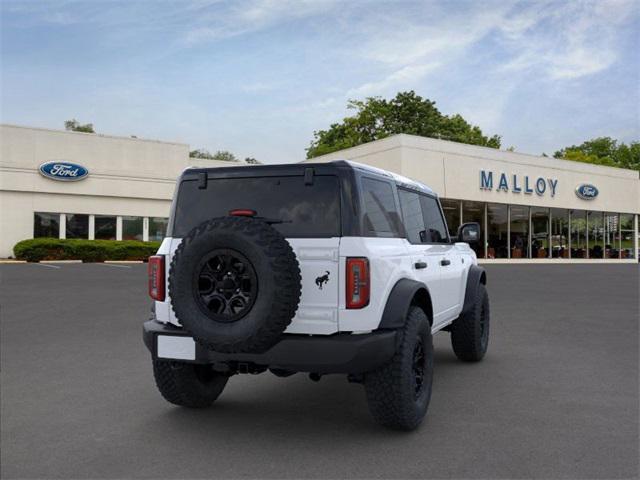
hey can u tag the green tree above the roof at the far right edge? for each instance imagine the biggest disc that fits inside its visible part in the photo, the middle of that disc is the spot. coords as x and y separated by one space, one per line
604 151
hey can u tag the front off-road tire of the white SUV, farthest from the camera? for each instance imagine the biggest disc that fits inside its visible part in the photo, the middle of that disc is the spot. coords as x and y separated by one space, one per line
470 331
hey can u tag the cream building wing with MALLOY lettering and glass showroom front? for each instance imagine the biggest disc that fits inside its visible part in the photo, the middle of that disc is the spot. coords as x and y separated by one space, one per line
530 208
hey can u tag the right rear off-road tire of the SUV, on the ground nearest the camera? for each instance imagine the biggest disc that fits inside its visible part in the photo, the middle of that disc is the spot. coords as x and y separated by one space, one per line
391 390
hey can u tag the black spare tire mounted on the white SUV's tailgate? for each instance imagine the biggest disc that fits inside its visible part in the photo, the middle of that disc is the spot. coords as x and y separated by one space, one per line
235 284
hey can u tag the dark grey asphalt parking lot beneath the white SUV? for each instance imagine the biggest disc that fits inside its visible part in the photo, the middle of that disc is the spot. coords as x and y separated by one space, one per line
556 397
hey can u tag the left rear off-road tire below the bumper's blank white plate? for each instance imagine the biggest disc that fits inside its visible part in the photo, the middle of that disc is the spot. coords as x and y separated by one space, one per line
188 385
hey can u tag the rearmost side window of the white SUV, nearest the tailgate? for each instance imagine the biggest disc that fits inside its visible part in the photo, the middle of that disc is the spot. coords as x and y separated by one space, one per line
380 215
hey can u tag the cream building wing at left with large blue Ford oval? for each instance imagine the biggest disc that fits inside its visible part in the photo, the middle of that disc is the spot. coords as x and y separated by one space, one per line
126 193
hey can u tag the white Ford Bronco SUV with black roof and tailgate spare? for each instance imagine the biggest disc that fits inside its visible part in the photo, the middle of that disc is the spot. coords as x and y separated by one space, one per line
320 268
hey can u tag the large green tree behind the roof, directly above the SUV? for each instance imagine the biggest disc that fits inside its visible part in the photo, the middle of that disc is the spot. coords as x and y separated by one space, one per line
377 118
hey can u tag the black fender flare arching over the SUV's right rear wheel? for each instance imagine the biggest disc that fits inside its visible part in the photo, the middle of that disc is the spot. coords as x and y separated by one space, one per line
405 292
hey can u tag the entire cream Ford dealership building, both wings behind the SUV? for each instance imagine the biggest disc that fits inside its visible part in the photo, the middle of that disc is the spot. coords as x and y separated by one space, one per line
536 209
